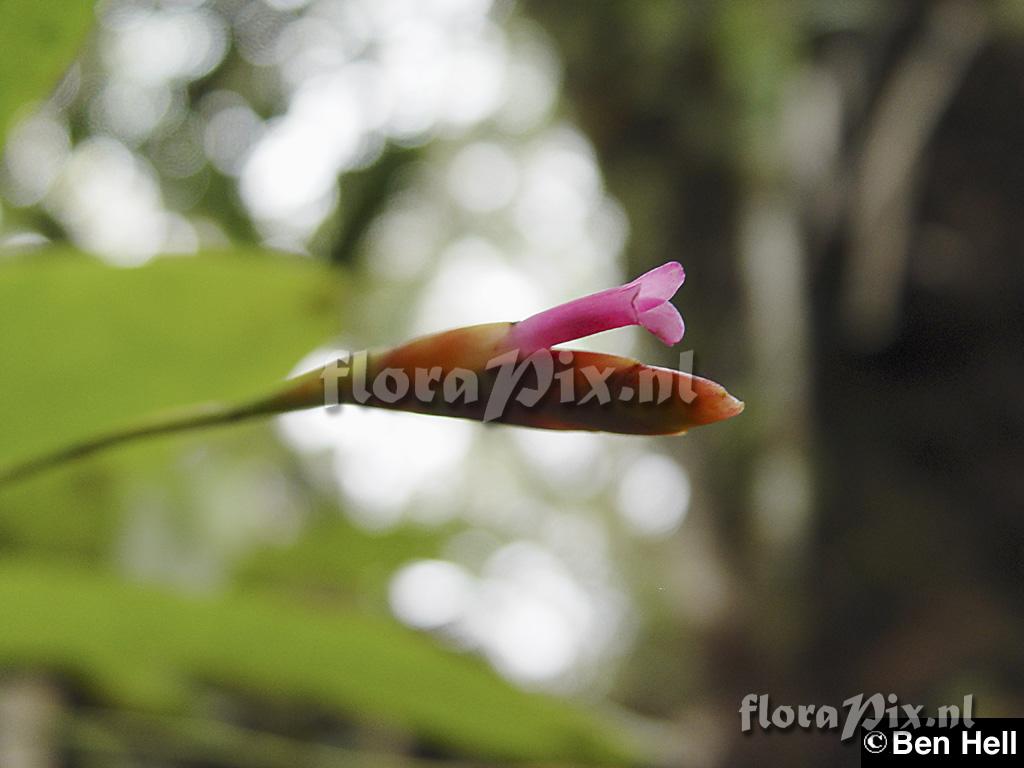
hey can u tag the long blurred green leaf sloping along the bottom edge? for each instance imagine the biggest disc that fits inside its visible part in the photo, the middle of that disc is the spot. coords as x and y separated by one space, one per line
145 648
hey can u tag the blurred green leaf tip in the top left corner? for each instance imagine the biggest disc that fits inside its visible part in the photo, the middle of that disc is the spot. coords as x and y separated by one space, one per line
38 41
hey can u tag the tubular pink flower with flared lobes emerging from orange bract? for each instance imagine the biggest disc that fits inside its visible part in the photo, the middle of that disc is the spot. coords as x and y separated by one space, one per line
643 303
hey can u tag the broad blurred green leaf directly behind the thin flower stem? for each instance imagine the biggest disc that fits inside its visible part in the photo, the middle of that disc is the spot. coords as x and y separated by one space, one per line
89 348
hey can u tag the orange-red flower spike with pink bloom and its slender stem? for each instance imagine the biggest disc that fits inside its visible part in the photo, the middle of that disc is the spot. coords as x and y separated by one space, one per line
508 373
